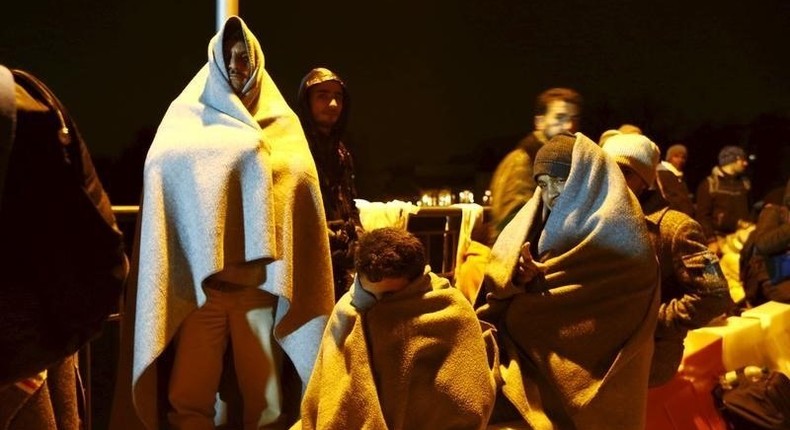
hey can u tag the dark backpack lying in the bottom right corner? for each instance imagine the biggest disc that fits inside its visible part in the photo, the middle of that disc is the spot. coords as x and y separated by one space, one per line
753 398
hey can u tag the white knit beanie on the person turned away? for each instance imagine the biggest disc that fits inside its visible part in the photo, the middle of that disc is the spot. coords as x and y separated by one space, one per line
636 152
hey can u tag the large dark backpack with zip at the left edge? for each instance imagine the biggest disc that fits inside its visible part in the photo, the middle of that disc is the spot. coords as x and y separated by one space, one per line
62 261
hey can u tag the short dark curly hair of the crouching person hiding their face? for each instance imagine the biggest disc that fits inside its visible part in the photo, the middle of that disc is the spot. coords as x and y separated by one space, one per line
389 253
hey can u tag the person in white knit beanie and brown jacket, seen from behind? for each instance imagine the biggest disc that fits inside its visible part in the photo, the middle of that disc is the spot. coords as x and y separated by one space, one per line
693 289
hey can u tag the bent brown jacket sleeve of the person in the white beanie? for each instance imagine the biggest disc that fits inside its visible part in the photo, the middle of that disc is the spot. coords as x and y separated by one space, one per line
697 272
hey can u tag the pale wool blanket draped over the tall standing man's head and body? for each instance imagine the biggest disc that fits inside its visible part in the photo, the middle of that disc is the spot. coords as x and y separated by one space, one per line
230 191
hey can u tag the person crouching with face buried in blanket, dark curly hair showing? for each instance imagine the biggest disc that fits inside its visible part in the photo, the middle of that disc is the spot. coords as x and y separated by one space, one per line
402 350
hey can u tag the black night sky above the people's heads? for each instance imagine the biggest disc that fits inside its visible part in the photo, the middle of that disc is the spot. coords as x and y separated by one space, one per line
440 89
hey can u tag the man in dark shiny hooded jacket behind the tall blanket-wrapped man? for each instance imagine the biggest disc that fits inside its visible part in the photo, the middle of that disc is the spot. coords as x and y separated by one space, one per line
323 107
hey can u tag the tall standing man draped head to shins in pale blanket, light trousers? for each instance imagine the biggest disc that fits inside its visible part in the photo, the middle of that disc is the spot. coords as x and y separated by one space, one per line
233 251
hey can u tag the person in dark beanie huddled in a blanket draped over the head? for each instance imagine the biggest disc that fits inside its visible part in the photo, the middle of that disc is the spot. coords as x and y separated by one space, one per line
573 291
